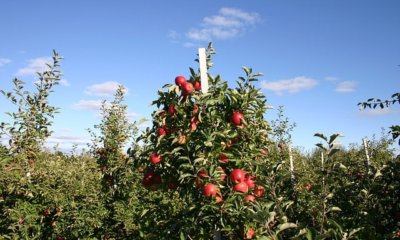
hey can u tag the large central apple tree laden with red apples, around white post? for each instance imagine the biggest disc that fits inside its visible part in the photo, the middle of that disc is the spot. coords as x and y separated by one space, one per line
212 150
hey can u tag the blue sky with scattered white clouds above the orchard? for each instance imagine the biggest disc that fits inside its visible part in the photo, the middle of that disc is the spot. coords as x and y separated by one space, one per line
319 58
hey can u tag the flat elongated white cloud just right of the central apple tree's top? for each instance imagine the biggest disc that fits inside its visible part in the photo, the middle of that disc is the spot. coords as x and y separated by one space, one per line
293 85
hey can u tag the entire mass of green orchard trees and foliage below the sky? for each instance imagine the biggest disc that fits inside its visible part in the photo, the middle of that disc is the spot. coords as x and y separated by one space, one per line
110 194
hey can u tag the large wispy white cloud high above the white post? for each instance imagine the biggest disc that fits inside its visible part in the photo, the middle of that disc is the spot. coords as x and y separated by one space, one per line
228 23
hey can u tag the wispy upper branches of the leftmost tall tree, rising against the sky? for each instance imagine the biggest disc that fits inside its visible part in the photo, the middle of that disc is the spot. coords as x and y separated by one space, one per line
30 127
